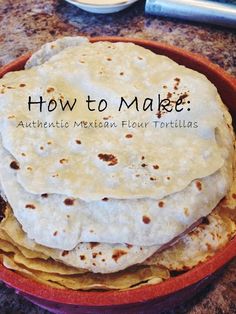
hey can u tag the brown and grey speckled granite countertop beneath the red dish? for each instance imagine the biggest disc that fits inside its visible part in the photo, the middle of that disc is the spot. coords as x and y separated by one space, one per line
26 25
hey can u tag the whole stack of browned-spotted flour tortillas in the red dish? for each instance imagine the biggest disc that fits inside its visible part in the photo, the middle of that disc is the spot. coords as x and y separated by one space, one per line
105 207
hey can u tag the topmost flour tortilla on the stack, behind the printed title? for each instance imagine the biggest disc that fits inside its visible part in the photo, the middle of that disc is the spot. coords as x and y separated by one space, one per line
181 154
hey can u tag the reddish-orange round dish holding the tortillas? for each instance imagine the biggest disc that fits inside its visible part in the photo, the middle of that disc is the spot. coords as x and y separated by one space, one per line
151 298
